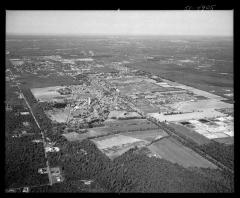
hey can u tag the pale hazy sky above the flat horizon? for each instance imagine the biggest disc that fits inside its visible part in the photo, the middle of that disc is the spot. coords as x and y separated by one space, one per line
121 22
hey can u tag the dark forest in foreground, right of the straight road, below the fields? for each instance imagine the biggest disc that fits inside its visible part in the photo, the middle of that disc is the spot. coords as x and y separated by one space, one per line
132 172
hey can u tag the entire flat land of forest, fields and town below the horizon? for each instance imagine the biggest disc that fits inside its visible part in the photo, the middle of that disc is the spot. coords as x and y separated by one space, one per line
119 113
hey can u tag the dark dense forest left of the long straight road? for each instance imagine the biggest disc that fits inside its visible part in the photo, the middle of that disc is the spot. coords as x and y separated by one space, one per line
24 157
